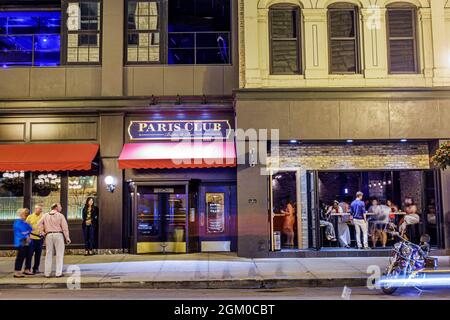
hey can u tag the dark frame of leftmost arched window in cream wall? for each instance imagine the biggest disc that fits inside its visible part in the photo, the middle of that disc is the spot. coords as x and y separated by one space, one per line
298 39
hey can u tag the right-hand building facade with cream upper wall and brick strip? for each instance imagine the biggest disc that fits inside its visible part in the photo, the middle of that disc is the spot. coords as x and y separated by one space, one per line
368 118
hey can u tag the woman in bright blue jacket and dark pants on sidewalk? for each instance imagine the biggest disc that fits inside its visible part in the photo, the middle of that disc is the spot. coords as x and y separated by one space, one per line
22 232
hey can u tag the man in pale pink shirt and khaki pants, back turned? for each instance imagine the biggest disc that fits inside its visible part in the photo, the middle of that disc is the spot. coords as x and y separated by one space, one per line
56 231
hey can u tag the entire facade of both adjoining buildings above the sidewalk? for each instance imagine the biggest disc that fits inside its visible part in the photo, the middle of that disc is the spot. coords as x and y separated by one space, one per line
92 93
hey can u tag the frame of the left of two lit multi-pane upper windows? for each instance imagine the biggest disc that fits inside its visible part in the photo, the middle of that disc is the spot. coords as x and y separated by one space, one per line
65 35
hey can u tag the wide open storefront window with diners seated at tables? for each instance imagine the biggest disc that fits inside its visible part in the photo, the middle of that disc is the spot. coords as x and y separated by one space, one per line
390 196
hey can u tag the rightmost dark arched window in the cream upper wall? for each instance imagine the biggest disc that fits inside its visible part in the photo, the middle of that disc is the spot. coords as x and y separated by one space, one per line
402 39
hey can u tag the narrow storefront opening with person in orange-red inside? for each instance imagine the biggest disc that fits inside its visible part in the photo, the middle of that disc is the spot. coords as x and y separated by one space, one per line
284 210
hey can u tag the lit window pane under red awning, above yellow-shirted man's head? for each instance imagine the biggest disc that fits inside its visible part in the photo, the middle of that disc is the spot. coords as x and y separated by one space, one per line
46 190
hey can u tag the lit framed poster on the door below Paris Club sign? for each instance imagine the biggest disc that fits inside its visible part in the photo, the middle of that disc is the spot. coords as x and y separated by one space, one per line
215 215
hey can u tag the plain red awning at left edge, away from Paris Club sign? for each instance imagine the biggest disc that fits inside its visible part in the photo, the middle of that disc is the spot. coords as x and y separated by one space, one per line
47 157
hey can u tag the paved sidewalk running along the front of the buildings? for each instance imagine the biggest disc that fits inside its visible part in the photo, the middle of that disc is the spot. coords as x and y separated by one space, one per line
202 271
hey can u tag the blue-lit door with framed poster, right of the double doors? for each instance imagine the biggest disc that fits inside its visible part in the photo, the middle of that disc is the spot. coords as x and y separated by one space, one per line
217 230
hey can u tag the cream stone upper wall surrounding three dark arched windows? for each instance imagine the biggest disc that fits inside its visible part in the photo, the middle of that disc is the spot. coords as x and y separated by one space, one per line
433 23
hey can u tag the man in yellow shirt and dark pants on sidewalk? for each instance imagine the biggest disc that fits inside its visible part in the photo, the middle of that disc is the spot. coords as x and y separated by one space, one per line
36 241
